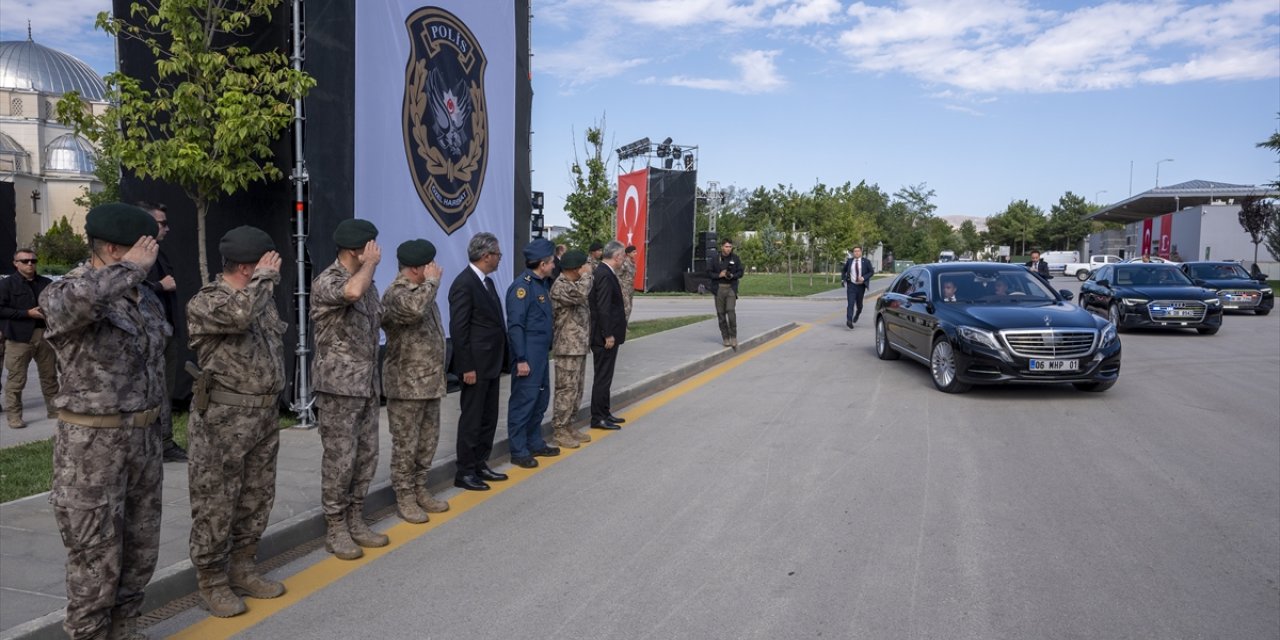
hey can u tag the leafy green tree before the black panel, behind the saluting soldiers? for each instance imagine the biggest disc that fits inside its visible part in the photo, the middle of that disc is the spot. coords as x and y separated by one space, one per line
216 108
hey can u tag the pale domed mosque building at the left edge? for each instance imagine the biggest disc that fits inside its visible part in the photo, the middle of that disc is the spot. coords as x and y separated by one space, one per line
49 166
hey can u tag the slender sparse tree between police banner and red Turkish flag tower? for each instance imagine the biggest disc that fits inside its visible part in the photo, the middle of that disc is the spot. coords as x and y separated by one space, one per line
588 205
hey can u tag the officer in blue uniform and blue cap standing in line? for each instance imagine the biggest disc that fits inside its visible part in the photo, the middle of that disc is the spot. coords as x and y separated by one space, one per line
529 328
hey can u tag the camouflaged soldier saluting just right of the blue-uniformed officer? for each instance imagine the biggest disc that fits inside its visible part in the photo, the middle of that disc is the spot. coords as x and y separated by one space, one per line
572 345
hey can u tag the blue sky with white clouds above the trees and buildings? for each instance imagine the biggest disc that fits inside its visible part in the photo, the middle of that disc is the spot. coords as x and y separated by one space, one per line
986 102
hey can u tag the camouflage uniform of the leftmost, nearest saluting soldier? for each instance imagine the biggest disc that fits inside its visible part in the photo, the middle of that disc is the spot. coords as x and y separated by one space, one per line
109 335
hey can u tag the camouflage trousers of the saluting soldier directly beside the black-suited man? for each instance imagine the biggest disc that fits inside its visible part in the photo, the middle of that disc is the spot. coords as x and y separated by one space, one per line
415 427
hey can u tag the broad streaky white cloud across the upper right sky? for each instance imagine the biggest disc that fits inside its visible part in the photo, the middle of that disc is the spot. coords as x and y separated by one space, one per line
1009 45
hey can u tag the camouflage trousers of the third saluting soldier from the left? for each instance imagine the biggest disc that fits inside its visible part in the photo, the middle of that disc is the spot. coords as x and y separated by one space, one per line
349 431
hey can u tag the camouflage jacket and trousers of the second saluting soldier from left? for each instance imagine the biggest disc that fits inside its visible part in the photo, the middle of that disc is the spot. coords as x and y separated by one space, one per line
235 440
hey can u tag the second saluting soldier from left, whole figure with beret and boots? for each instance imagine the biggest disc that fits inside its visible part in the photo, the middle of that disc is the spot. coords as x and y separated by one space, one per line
234 436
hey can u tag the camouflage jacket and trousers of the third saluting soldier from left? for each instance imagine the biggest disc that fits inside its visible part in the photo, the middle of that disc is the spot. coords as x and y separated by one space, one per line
348 388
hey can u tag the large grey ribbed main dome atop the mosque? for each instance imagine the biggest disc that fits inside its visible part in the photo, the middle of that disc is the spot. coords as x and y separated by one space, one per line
25 65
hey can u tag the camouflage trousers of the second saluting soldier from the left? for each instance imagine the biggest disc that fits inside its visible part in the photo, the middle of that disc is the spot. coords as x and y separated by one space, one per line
232 479
